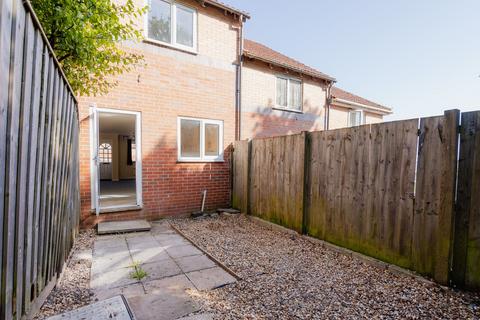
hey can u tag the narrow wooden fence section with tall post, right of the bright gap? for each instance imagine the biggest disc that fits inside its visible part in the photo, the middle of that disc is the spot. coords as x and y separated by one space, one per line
435 195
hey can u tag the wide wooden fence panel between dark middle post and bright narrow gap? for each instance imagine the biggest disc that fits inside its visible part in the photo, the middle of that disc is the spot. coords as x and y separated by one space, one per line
361 187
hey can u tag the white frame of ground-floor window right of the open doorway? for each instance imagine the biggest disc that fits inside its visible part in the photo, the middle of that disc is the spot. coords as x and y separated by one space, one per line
203 157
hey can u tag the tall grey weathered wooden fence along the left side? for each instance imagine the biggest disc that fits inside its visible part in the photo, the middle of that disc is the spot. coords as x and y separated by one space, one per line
39 182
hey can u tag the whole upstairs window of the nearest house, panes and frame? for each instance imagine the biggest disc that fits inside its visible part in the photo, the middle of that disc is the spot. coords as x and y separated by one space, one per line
171 23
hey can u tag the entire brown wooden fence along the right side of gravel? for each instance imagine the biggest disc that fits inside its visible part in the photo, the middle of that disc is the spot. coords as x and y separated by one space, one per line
387 190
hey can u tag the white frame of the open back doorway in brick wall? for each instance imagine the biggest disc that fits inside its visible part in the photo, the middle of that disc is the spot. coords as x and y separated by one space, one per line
94 172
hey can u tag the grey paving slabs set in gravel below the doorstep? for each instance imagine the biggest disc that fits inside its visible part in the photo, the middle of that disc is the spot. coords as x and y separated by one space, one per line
175 270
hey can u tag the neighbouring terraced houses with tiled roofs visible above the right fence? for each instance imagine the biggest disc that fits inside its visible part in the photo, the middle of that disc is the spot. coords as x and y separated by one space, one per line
283 96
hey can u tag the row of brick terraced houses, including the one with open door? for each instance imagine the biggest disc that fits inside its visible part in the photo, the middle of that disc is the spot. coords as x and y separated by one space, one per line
162 137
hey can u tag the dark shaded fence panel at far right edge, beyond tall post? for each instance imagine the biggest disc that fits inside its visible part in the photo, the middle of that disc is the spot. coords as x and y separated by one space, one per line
466 256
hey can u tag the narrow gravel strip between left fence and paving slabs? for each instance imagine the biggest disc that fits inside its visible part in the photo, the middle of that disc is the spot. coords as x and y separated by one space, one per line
73 290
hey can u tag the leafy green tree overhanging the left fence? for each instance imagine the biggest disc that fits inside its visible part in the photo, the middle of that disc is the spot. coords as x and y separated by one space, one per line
84 35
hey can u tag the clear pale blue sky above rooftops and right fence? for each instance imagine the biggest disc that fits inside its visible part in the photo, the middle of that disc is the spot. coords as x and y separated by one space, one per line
419 57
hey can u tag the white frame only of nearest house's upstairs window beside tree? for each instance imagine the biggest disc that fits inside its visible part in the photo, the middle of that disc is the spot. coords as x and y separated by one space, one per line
173 27
